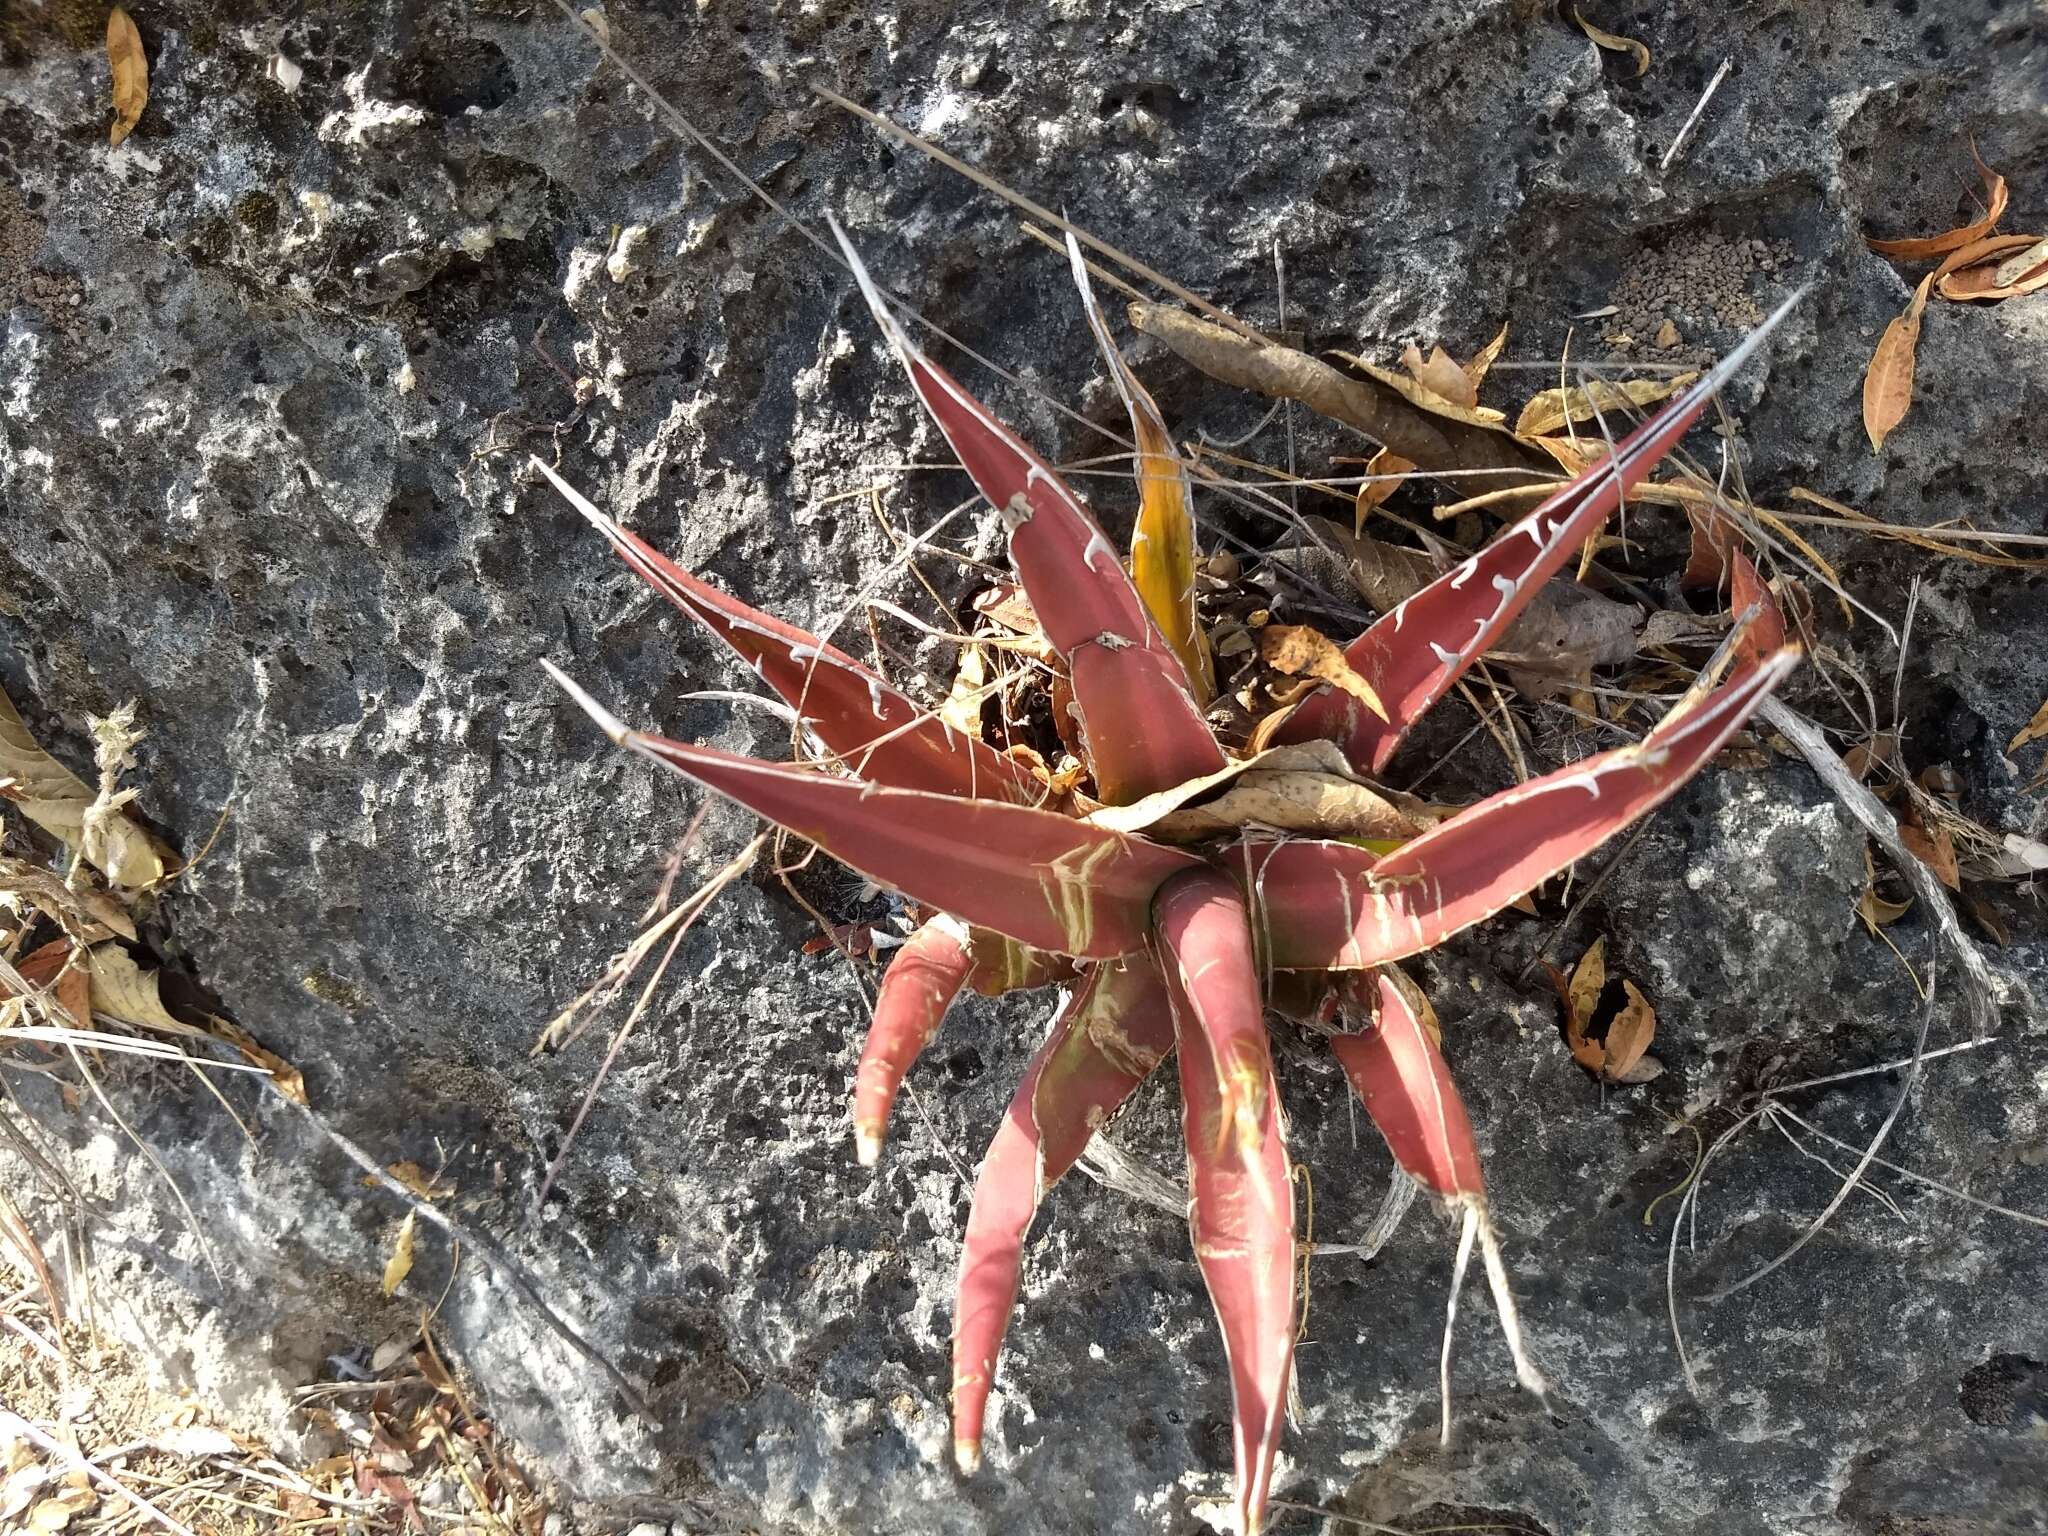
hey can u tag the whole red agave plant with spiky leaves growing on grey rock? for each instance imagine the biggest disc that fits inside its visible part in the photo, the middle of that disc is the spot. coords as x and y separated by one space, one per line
1191 890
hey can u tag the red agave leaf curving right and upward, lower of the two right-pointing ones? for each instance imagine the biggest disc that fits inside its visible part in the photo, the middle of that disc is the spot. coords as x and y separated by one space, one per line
1332 906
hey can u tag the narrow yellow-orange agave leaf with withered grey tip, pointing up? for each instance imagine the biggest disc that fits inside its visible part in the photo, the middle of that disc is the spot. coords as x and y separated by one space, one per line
1162 544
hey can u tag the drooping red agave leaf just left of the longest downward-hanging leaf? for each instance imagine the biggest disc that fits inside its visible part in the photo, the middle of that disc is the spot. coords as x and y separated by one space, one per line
1105 1041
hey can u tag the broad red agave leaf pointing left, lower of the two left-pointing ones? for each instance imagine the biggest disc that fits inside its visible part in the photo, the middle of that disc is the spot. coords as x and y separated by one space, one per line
1037 878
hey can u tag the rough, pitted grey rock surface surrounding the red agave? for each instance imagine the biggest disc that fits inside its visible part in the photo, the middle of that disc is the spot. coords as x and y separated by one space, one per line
269 378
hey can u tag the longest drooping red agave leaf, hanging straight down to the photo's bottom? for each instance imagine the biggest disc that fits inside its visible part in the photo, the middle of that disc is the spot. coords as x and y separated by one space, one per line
1242 1211
